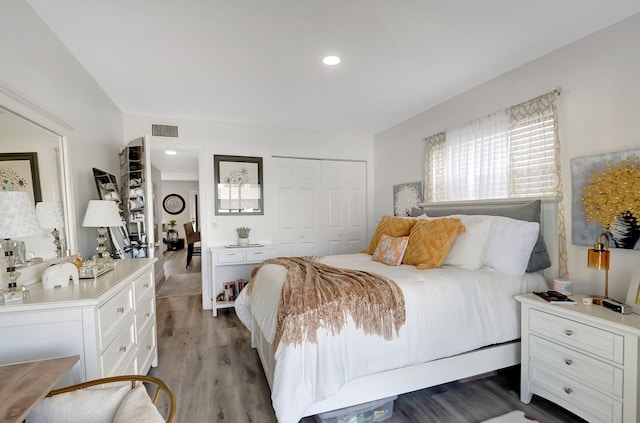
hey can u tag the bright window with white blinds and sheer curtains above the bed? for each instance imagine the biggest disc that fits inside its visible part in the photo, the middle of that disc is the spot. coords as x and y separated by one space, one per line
511 153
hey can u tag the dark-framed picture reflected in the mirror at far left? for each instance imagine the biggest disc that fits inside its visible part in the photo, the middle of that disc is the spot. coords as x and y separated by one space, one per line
19 172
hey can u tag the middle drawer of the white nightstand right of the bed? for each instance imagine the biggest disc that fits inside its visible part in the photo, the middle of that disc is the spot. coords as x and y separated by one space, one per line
598 374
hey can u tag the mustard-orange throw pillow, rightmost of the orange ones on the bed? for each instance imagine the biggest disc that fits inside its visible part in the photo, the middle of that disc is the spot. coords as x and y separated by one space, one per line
430 242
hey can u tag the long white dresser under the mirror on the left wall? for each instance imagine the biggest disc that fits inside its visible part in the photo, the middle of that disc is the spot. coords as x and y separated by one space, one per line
110 323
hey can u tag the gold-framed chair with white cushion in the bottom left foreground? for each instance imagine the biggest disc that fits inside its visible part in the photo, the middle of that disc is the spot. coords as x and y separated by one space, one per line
113 399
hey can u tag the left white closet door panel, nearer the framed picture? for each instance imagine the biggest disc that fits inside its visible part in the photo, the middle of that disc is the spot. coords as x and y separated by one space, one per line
299 208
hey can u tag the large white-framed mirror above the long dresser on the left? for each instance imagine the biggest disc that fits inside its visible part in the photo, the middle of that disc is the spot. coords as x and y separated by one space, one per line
31 159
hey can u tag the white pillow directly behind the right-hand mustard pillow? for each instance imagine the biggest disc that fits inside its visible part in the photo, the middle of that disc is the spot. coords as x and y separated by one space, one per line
470 248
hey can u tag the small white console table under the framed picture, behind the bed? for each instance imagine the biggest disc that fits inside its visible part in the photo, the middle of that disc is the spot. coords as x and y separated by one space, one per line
230 264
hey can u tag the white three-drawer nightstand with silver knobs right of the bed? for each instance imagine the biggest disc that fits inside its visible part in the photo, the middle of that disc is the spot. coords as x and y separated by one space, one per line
584 358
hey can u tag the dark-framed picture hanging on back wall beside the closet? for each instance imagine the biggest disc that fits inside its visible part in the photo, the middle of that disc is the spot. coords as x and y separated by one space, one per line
239 189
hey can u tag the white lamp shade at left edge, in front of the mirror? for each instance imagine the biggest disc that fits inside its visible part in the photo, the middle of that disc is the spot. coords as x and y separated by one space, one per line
17 215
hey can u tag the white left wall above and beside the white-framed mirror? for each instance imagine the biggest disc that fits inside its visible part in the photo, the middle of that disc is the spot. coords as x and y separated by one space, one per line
34 63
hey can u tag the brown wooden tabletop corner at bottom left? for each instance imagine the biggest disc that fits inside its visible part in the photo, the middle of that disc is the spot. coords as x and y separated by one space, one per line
25 384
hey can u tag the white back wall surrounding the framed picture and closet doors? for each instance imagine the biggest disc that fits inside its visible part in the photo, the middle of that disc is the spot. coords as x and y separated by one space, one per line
209 138
